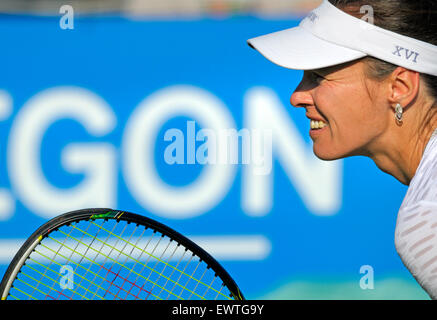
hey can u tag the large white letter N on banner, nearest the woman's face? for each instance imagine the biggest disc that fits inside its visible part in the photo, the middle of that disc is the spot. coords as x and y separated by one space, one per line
318 182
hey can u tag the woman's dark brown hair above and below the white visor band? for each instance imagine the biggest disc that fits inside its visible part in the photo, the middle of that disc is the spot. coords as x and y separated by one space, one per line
413 18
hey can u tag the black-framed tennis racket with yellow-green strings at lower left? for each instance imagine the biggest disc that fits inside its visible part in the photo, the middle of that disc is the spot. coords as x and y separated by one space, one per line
105 254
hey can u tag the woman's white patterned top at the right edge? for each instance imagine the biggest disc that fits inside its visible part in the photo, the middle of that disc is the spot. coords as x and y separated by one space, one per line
416 226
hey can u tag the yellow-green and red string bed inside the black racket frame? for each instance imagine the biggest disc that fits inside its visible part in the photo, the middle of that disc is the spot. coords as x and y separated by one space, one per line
114 260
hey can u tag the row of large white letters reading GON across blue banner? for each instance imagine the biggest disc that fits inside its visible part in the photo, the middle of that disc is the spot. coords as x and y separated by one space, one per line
317 182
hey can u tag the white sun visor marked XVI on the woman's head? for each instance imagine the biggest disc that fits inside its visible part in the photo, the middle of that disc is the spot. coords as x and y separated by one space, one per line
329 36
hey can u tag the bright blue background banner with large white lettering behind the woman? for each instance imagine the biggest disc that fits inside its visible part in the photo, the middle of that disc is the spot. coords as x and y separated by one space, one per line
88 115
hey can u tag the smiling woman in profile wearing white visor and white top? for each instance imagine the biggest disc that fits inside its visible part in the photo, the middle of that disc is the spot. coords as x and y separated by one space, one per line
370 88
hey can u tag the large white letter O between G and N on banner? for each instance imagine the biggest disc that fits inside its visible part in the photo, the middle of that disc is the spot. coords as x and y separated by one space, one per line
139 139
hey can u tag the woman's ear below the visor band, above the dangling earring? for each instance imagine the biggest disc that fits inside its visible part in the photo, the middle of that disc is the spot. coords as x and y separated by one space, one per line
404 86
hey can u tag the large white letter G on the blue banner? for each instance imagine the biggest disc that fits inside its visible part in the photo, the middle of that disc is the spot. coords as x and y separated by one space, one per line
96 161
